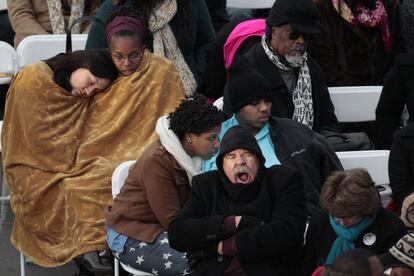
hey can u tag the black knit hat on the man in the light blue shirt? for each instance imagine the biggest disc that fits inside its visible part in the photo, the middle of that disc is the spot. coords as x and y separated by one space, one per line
244 85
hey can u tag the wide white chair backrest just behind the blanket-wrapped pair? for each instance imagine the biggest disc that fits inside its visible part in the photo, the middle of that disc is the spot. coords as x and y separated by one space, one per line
39 47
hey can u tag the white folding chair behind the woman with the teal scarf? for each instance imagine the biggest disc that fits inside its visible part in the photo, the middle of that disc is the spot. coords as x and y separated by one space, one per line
376 163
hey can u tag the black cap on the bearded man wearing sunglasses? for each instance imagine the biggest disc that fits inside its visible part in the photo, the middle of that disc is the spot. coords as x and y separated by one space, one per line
302 15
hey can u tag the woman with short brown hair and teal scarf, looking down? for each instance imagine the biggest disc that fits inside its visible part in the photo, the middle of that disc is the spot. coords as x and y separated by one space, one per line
352 217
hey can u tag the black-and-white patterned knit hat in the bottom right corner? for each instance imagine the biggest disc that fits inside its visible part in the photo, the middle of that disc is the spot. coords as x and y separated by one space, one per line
401 254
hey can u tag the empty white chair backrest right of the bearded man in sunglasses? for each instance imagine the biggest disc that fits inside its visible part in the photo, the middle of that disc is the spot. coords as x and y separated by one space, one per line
355 103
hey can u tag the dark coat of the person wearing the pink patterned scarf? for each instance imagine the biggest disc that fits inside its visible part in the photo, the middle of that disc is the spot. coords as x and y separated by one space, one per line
352 55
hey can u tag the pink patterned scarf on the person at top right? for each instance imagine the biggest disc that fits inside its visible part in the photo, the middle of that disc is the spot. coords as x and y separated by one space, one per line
367 18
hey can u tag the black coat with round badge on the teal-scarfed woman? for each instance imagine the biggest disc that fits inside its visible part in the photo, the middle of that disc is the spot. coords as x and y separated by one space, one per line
386 227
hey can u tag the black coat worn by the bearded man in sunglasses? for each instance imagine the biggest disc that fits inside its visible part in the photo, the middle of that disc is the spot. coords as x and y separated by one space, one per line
282 104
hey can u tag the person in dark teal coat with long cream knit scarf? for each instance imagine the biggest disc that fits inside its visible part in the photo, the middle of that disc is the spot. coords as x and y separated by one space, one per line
181 31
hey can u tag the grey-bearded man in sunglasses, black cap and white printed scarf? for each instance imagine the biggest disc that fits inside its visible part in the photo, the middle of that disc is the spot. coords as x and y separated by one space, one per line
297 83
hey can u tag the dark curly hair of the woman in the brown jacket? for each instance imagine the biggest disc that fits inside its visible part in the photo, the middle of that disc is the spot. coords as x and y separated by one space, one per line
194 115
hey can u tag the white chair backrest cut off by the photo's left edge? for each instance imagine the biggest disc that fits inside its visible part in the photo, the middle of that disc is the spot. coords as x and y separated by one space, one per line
8 62
